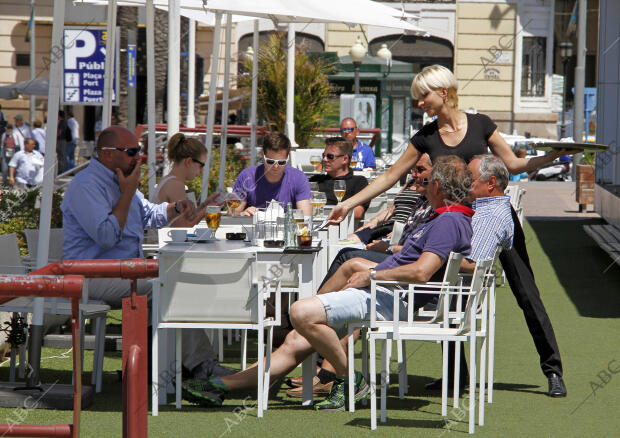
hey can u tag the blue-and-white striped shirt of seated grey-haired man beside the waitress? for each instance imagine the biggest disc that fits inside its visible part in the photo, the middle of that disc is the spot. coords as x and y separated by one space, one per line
492 225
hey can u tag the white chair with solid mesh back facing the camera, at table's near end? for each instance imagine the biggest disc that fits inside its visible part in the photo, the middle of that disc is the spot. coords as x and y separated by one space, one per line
215 290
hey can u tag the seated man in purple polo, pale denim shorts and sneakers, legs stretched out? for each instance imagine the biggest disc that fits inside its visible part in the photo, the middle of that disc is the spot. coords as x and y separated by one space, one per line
318 320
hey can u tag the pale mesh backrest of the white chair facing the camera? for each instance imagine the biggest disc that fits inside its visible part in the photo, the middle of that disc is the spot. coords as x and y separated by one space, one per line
207 287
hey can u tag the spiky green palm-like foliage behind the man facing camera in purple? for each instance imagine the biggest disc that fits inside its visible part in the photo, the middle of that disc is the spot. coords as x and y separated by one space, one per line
311 88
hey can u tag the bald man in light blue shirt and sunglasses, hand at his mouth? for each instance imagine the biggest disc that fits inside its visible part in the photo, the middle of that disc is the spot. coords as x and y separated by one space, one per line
104 213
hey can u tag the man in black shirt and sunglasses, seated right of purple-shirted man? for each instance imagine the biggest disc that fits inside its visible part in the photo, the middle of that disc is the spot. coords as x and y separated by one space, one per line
336 159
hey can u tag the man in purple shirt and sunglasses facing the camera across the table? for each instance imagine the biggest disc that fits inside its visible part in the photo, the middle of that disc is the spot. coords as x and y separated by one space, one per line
257 185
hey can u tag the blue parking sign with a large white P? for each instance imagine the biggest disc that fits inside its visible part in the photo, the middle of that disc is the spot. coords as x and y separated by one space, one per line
84 66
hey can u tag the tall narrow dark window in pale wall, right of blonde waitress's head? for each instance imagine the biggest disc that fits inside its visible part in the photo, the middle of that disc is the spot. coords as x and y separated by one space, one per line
534 63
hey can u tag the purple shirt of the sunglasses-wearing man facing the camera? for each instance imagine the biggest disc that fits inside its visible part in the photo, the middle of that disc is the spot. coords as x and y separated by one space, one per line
256 191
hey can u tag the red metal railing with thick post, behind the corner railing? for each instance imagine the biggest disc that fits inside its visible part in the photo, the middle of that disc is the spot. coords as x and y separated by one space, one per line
135 398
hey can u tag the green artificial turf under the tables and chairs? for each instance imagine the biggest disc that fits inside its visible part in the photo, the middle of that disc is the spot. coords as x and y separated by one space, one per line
581 290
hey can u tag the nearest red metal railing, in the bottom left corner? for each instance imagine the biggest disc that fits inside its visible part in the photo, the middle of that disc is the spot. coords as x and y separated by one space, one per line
69 286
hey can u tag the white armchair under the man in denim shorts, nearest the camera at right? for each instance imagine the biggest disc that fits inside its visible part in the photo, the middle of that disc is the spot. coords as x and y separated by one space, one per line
467 331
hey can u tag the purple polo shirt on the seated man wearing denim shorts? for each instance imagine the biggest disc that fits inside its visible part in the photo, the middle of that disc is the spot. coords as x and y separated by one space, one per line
450 231
